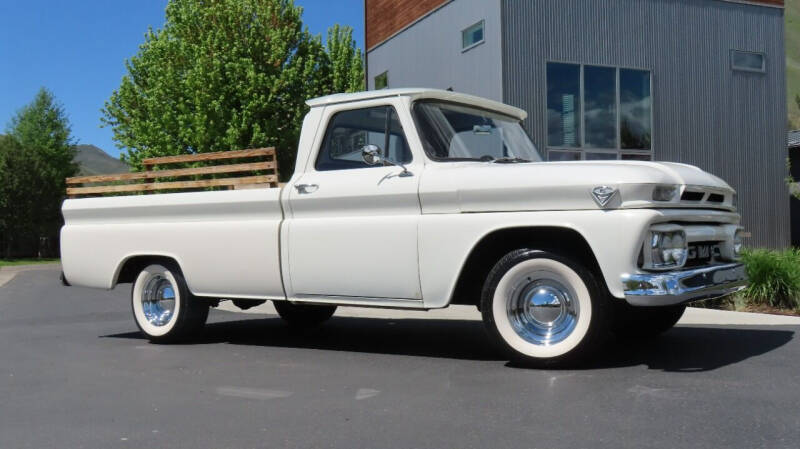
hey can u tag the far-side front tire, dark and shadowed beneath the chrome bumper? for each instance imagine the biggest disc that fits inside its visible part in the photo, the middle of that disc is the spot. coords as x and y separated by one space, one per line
645 322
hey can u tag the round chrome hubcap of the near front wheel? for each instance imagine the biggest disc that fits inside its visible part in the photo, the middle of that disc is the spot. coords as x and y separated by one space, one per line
542 311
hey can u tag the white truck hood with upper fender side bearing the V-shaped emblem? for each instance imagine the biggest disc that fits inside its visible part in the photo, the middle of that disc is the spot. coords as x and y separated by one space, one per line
493 187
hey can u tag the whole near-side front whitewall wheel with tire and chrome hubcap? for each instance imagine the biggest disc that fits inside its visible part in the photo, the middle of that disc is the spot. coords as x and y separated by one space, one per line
544 309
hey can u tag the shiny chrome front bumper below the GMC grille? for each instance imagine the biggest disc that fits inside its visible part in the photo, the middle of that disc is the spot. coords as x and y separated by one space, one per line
677 287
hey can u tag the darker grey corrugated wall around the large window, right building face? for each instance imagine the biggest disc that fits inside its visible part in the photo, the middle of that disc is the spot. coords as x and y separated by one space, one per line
730 123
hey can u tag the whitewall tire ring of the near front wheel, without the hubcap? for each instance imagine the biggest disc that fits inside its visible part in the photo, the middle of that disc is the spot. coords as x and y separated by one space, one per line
537 264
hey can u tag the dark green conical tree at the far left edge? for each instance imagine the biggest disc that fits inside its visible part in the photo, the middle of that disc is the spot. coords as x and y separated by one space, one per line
35 158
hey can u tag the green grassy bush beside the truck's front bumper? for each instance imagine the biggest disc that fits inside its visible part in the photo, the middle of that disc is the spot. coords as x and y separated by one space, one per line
774 278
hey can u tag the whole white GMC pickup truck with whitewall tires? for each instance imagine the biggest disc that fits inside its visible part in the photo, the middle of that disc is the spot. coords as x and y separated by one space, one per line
419 199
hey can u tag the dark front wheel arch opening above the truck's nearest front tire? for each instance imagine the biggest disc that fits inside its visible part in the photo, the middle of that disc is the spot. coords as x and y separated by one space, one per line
495 244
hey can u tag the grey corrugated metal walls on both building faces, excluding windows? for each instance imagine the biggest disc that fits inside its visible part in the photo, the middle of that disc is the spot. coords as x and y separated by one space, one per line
730 123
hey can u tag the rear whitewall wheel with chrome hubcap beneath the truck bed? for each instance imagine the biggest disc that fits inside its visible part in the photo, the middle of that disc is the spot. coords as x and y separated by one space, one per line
163 307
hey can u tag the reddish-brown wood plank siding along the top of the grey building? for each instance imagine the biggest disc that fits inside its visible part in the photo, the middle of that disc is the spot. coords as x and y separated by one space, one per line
385 18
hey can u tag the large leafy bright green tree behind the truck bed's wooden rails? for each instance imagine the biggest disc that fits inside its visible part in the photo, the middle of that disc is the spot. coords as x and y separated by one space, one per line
225 75
